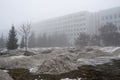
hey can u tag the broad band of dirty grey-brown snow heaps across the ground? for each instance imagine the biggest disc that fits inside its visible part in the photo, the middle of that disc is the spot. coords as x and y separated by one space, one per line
58 60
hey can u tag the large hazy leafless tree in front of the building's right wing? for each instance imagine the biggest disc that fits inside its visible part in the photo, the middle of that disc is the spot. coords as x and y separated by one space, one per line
110 35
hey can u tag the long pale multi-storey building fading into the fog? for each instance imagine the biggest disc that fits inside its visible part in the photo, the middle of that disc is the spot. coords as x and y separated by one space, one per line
74 24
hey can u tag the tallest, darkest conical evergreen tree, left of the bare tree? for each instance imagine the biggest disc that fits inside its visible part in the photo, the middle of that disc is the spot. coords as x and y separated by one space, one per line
12 39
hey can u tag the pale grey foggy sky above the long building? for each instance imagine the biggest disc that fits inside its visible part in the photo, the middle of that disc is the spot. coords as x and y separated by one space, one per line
18 12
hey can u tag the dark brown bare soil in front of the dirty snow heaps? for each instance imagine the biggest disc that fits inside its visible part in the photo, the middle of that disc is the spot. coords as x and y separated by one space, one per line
109 71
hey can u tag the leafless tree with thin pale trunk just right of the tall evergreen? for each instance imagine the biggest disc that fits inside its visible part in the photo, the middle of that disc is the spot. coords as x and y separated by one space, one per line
25 30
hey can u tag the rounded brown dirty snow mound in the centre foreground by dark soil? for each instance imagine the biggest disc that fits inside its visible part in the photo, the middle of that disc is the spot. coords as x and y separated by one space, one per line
55 66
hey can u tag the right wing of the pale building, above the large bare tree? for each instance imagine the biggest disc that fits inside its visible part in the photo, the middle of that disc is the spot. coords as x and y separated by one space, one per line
109 16
